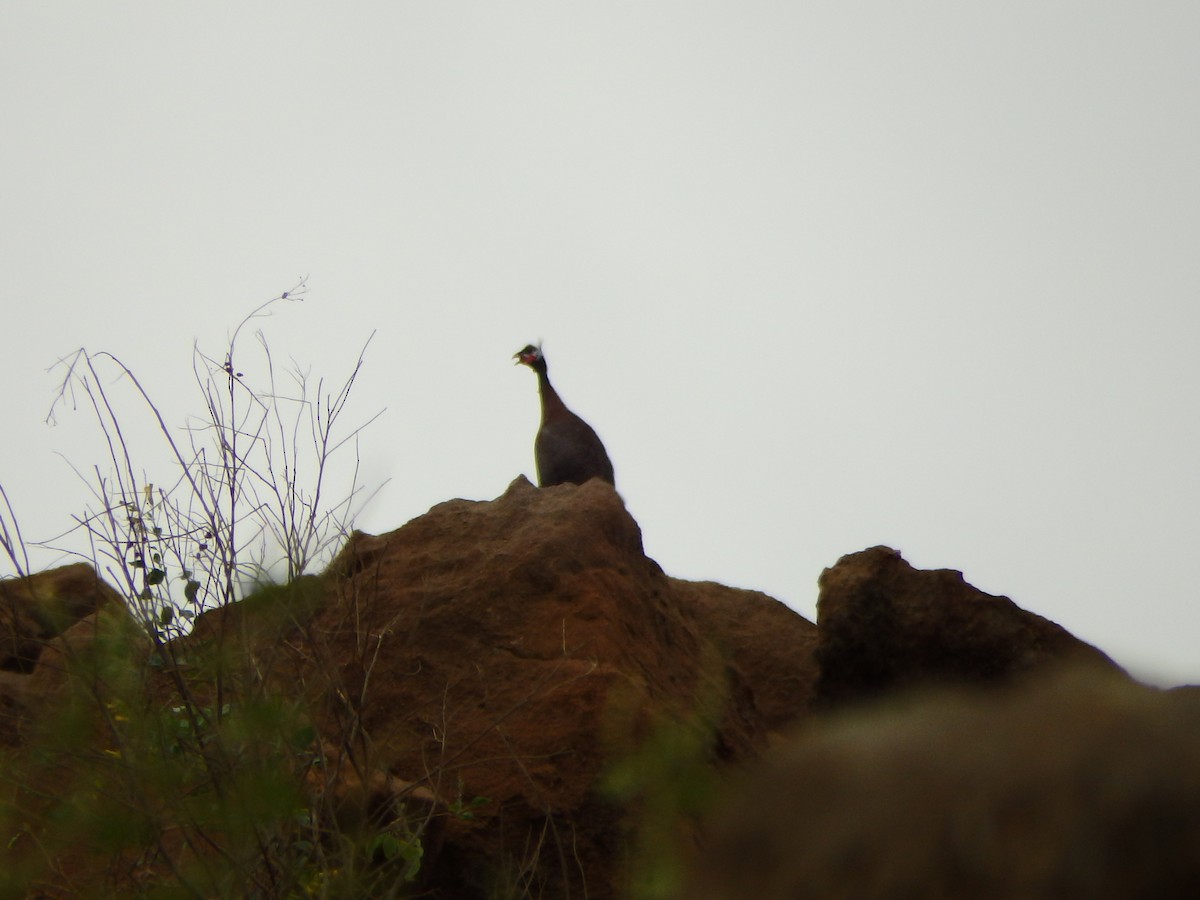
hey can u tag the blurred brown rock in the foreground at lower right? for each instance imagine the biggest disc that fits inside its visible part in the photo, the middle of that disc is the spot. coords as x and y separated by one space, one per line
1078 784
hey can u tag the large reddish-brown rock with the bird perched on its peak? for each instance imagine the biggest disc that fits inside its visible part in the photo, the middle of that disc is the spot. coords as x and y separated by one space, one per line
502 656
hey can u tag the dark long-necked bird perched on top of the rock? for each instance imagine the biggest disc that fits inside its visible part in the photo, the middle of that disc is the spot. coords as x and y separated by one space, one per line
567 451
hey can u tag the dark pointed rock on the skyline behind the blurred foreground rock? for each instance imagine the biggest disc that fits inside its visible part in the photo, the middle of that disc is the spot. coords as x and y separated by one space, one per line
884 626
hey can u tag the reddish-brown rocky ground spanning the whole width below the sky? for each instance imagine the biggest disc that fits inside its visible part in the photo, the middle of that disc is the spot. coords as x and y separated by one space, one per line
549 715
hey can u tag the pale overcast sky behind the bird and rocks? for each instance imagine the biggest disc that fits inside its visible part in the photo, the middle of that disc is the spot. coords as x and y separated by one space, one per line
821 275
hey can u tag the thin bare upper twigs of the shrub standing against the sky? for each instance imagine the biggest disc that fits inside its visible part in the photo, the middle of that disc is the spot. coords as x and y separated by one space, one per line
245 493
